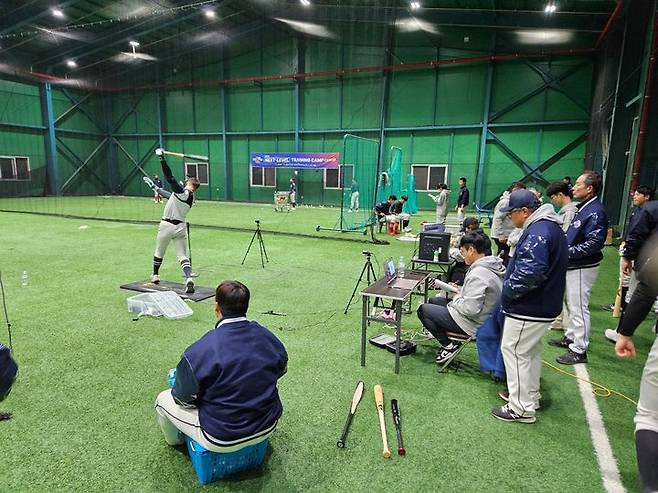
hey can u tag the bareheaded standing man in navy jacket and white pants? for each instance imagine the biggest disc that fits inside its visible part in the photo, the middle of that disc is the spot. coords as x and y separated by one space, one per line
586 237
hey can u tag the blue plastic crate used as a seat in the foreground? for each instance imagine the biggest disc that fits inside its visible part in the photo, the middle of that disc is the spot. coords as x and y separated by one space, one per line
212 466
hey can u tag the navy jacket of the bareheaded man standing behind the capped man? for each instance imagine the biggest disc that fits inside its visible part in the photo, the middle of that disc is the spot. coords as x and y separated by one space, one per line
586 235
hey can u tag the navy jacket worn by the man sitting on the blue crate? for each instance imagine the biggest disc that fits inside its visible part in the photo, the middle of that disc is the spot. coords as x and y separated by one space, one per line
230 375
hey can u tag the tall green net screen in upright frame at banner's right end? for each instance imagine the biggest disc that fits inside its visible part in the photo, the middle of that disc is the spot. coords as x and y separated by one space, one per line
358 186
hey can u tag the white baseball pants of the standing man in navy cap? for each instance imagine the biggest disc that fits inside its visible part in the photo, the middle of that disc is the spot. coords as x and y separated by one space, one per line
521 347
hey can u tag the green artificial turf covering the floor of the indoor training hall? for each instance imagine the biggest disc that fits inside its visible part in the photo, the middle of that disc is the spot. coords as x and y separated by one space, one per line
89 374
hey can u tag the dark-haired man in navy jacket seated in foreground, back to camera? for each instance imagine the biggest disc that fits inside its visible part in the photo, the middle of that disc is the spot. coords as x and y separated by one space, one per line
225 395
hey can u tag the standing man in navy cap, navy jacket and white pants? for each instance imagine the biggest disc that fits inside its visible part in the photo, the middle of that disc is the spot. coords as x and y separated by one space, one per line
532 296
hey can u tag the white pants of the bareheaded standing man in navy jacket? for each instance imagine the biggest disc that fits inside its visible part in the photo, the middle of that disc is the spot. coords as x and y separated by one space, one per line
578 293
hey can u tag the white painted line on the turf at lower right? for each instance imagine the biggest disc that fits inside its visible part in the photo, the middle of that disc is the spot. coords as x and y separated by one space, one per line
606 459
